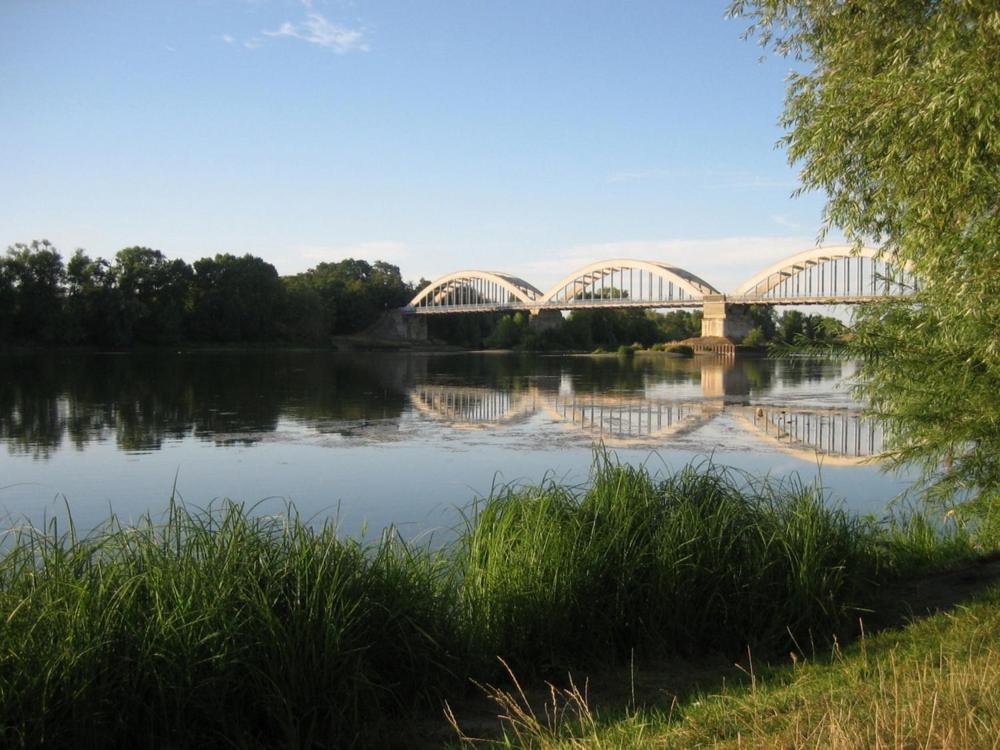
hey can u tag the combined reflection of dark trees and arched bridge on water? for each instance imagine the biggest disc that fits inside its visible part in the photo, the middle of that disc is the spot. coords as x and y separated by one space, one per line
142 401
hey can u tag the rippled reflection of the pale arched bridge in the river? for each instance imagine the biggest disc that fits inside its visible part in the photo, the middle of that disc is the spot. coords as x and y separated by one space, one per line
648 417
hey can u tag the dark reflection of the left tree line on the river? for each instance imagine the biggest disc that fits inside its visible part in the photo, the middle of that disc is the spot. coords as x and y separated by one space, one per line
142 400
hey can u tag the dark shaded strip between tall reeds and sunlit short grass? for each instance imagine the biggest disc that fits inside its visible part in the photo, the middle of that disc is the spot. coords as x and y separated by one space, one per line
594 698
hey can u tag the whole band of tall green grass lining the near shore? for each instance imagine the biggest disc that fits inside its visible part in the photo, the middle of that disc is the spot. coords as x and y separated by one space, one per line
223 627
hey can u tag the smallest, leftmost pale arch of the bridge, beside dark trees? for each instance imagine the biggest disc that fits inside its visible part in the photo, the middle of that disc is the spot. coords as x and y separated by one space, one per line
475 289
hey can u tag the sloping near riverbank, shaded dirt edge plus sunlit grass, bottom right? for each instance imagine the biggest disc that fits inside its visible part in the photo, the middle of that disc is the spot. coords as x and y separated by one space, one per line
928 677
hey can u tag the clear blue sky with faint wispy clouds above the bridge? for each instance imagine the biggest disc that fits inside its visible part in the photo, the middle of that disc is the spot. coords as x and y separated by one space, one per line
525 137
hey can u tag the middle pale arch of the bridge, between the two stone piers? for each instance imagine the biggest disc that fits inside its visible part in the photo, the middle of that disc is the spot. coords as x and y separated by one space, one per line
657 282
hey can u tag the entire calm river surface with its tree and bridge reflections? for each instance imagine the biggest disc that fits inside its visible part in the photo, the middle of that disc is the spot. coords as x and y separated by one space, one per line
396 438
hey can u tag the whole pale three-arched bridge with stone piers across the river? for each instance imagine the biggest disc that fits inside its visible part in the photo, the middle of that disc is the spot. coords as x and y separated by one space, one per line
835 275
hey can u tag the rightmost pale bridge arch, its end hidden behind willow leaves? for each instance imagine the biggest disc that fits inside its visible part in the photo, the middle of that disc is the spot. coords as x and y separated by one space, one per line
836 271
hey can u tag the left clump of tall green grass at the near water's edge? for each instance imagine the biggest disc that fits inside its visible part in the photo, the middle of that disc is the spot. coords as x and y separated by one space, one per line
213 625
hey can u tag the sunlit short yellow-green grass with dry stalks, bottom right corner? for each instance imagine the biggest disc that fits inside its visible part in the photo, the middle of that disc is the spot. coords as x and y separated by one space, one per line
933 684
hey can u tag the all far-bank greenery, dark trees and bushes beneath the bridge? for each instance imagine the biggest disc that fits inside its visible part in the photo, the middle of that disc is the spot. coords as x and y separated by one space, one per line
142 297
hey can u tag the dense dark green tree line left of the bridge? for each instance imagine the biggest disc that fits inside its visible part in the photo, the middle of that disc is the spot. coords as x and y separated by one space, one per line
143 297
